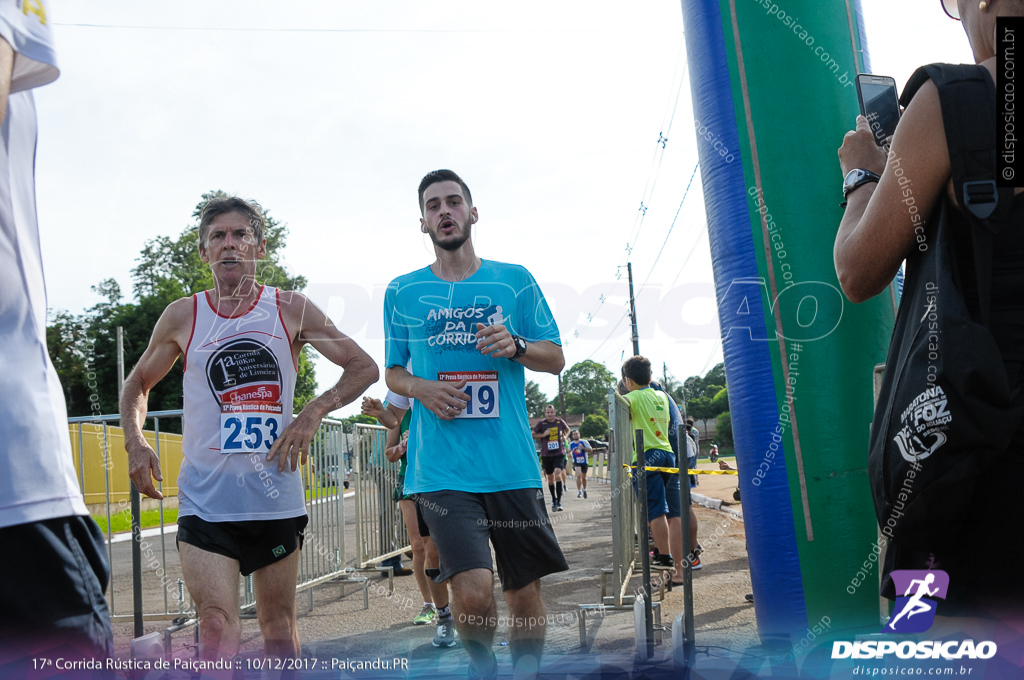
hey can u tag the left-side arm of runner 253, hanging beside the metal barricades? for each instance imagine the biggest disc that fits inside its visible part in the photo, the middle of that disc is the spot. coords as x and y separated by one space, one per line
165 348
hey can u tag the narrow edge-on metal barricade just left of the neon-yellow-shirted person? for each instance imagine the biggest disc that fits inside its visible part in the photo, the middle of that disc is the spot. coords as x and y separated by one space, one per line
624 515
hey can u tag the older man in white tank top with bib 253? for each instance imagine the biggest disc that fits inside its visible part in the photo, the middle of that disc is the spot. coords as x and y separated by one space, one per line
241 499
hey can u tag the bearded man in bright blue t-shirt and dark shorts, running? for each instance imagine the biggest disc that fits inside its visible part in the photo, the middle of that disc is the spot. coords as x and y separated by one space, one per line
471 327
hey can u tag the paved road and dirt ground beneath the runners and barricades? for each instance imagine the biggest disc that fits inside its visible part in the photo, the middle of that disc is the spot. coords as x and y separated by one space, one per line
337 629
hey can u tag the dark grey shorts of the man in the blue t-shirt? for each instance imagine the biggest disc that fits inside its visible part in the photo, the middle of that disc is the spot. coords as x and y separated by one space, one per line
515 522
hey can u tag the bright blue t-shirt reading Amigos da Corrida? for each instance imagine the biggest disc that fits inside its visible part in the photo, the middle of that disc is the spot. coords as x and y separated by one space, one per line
434 323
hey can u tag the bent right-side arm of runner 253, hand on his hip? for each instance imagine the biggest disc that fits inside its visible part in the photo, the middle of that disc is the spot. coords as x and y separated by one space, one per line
360 372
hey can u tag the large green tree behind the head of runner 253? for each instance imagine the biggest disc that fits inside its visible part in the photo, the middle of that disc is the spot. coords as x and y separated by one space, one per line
167 270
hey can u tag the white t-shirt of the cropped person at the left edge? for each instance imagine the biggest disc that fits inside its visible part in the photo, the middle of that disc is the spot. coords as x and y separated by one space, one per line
37 474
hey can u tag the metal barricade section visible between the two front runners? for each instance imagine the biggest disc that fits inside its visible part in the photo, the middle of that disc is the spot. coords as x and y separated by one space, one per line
380 528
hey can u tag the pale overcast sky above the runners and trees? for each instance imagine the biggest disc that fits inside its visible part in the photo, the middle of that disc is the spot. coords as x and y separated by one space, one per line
330 113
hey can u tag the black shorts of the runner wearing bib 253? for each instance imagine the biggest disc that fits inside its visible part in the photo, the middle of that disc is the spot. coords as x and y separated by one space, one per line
254 544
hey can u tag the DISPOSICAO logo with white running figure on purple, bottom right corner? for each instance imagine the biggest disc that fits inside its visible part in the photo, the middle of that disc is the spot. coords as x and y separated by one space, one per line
915 613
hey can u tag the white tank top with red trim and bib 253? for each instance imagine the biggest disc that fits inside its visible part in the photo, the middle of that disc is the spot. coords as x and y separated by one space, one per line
239 386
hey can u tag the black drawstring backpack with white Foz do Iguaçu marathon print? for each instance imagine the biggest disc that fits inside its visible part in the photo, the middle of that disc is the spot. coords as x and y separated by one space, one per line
947 409
